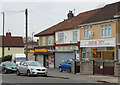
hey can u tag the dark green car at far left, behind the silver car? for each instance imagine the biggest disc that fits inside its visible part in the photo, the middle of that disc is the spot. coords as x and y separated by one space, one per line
8 67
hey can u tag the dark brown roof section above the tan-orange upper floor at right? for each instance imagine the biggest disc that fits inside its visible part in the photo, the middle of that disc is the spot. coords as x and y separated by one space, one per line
106 13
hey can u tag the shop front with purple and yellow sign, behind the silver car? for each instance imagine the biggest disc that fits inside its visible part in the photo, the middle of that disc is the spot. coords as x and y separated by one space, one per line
45 56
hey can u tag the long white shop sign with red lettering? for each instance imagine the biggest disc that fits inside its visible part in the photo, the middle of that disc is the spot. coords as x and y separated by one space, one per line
98 43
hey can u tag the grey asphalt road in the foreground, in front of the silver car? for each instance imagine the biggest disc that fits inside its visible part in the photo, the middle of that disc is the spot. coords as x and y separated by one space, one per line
12 78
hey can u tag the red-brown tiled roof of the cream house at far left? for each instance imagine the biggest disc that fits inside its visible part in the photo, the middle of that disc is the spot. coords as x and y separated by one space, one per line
12 41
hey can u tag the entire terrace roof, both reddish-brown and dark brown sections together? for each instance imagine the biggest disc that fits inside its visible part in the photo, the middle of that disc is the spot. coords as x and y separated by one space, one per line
101 14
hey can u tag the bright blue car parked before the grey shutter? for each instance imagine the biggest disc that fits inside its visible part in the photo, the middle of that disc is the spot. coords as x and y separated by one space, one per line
65 65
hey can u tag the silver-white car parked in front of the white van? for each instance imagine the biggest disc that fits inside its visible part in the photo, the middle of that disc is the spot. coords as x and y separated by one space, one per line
31 68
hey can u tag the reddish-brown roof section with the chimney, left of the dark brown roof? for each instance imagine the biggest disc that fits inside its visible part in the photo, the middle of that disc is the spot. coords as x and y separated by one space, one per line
66 24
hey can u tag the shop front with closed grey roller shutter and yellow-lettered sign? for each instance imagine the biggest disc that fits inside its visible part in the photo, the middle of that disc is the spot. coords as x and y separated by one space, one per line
63 52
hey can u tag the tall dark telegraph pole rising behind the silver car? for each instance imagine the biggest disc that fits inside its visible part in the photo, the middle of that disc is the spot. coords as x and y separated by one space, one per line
26 15
